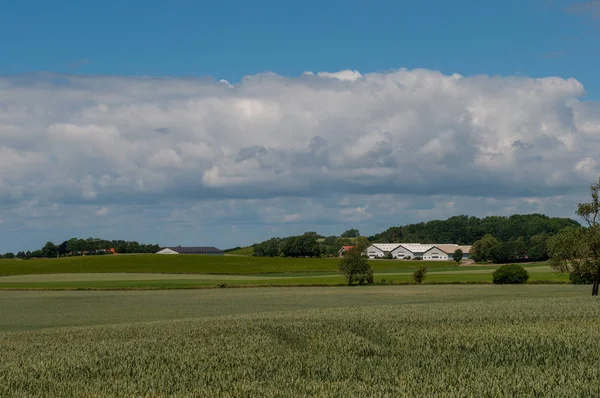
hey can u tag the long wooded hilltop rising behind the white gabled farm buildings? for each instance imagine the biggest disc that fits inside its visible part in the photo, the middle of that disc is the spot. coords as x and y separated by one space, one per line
465 230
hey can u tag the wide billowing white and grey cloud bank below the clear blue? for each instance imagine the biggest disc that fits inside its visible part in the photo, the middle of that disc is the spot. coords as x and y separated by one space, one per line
113 141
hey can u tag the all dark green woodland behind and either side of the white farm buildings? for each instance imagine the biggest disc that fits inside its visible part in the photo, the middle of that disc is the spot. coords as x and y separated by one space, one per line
496 238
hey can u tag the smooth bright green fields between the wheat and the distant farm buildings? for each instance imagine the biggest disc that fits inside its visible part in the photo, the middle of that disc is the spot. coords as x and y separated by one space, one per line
185 272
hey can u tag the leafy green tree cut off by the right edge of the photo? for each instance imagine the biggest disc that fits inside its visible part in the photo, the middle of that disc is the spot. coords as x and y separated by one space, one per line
577 250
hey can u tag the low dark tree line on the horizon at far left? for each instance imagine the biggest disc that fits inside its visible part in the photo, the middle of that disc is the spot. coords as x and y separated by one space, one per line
89 246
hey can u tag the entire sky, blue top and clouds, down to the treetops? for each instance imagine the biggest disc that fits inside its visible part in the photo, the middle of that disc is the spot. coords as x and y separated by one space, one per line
226 123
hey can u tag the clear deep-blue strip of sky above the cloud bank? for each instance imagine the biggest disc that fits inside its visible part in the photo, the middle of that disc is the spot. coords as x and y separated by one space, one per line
230 39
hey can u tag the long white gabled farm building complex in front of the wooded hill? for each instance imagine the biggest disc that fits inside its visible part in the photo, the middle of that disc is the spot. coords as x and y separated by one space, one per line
438 252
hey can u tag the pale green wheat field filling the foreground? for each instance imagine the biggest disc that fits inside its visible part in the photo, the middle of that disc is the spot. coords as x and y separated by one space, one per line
443 341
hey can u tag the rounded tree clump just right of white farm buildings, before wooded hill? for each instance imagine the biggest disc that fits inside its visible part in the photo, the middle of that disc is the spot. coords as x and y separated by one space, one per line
490 248
